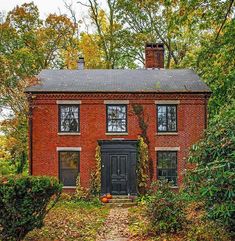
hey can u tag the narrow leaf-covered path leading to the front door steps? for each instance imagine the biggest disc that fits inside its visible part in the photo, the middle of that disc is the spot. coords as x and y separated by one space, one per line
115 227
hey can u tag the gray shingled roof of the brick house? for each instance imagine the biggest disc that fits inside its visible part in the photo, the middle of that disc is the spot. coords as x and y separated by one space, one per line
119 80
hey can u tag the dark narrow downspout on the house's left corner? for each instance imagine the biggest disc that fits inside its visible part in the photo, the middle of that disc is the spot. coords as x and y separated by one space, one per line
30 124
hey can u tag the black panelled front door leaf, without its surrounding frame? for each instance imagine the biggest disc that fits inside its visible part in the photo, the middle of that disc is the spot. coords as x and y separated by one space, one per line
118 172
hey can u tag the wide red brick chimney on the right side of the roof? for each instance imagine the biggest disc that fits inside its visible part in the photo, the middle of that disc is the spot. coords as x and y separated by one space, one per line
154 55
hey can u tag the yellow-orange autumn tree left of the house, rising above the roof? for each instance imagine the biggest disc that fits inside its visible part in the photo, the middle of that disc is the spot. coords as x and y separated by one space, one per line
27 45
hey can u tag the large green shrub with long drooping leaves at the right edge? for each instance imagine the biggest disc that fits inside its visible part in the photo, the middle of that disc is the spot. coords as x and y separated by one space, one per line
213 178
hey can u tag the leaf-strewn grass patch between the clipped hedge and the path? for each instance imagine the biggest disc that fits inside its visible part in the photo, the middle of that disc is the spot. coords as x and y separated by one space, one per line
71 220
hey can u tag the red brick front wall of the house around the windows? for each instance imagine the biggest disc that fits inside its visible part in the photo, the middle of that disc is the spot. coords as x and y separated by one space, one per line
45 138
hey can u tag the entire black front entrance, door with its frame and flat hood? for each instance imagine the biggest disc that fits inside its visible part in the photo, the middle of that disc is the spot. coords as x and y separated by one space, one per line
118 167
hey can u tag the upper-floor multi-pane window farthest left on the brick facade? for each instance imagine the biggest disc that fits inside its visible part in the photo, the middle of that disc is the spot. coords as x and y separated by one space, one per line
69 118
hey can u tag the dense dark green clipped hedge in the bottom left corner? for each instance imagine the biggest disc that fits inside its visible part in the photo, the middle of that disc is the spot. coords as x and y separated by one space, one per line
24 204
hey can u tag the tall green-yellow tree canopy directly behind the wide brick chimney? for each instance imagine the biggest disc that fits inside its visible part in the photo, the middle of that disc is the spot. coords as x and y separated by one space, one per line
179 25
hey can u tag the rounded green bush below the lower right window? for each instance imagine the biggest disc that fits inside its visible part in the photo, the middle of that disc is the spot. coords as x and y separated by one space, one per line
165 209
